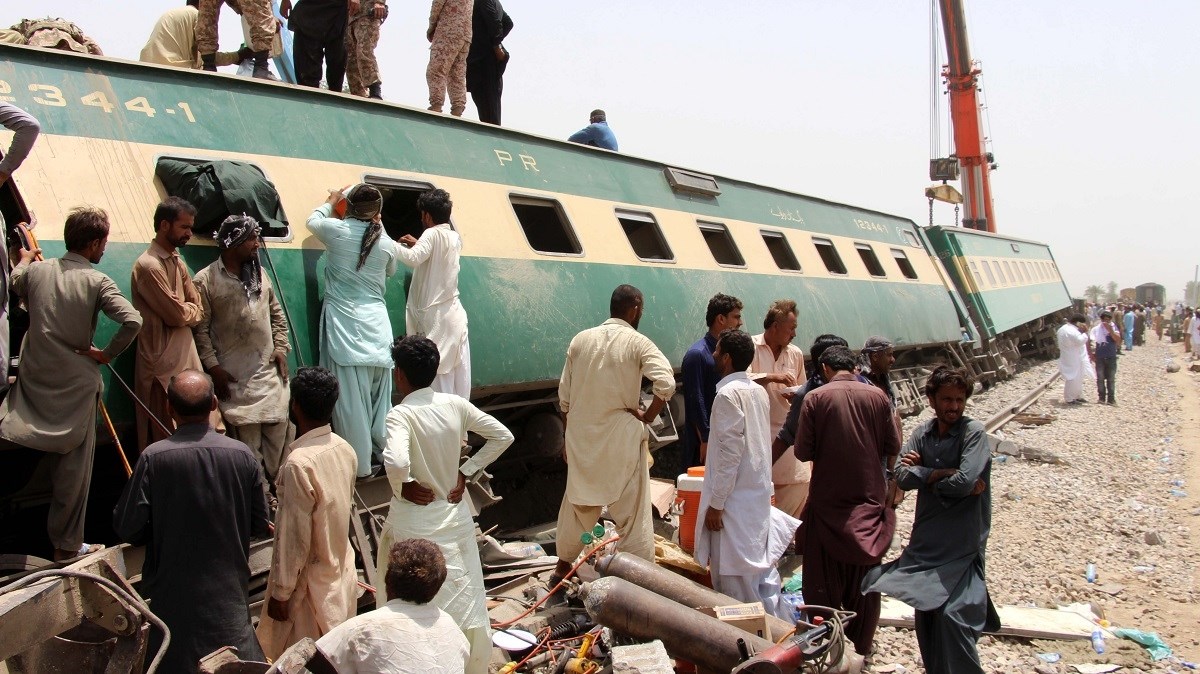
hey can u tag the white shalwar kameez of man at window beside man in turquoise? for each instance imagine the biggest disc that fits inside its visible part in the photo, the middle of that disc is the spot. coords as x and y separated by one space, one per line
434 309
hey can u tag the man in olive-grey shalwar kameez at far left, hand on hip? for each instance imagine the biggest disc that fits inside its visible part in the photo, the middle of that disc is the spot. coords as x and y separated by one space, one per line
53 406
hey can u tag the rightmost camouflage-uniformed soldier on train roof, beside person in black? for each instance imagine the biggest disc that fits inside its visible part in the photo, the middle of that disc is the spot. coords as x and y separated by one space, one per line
449 35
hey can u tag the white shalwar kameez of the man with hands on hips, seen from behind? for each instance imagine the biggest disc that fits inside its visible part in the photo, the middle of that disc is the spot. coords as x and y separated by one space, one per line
425 436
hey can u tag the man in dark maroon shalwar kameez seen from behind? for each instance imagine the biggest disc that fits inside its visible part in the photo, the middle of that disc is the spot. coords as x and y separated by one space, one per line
848 432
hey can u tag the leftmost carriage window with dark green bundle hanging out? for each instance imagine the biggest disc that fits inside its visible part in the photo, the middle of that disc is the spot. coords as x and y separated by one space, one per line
220 188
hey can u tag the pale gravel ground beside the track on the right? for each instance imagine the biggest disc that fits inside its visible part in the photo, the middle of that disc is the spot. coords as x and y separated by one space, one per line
1111 504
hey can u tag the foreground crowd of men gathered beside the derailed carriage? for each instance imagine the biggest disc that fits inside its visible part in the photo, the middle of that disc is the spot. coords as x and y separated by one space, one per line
232 441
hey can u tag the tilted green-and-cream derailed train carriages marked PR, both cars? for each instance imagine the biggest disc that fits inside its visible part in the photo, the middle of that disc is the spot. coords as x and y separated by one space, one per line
549 230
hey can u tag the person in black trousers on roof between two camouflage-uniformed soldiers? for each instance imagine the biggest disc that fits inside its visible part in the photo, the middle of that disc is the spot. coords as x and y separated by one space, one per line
319 29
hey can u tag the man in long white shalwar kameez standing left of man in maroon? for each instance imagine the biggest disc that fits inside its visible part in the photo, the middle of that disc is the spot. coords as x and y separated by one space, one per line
735 537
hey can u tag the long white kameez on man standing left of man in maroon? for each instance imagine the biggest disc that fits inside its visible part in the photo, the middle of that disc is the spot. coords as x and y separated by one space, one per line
737 480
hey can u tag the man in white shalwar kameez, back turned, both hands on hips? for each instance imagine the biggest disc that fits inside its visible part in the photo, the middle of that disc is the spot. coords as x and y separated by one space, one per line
425 434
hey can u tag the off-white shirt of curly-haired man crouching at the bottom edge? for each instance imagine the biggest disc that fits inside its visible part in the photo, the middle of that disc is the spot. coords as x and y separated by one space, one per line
400 639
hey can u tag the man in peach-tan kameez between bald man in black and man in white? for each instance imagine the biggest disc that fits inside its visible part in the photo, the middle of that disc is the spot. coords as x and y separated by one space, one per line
313 586
